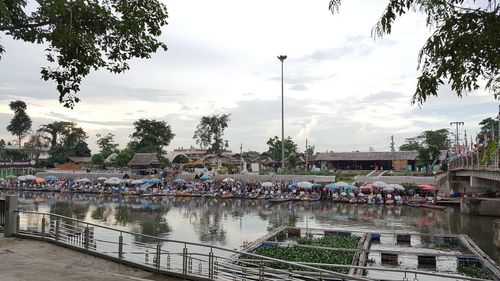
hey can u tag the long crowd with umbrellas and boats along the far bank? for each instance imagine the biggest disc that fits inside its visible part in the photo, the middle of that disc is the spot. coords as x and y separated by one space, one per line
227 188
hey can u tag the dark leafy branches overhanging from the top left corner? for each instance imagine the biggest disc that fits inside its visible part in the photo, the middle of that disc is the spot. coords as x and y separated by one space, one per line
85 35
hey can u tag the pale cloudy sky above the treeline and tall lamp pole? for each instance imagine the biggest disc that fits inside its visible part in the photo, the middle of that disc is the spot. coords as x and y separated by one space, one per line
343 90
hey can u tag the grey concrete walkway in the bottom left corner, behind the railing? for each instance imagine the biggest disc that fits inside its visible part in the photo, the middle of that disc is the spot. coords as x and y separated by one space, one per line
22 259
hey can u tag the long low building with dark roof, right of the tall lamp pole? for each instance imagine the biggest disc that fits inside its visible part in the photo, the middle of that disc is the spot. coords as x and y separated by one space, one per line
397 160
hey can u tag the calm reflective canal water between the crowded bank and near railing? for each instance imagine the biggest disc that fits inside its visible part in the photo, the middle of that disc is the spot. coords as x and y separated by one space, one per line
232 222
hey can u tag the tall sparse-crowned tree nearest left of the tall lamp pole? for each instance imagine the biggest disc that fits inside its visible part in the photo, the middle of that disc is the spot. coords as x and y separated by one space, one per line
210 131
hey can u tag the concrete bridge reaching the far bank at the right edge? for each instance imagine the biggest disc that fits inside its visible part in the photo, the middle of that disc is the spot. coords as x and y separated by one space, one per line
467 174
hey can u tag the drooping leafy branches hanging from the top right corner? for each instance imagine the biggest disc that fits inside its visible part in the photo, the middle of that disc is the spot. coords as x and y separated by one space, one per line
463 49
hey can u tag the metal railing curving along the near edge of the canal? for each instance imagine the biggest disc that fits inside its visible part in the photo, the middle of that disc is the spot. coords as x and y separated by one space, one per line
188 260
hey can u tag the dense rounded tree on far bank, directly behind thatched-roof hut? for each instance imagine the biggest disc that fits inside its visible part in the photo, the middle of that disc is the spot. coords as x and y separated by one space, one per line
151 136
